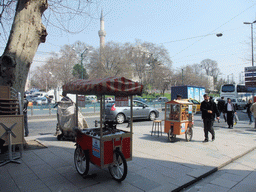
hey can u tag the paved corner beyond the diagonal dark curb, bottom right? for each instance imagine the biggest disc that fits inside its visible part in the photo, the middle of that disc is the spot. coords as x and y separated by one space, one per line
236 177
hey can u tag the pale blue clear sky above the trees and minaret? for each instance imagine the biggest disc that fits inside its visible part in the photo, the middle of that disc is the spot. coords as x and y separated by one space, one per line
186 28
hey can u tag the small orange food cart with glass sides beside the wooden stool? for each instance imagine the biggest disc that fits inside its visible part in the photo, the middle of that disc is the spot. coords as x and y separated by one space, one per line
179 119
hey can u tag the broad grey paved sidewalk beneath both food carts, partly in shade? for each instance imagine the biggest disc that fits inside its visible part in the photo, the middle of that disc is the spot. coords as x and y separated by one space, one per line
157 165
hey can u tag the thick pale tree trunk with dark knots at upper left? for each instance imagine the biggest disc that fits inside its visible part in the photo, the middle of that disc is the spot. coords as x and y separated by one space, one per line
25 36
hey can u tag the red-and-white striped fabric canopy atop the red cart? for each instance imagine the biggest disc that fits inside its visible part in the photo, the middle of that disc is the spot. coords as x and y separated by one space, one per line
118 86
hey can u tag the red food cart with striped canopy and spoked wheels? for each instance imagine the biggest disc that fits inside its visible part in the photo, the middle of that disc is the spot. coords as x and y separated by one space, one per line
107 146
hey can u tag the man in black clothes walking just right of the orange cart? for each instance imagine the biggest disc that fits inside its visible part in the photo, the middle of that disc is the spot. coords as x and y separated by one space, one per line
209 110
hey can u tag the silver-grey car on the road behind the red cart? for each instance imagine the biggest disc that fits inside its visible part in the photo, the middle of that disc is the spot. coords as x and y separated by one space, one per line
121 114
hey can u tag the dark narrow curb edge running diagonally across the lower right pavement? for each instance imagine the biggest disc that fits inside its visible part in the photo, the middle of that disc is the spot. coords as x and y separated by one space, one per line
212 171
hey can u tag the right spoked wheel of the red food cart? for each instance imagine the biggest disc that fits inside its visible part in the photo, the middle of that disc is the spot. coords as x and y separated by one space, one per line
118 169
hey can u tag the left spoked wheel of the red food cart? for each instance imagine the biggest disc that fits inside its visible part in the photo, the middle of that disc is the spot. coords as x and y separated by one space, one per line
81 159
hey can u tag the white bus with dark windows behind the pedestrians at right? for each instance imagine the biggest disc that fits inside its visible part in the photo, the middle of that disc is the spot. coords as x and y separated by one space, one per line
235 91
